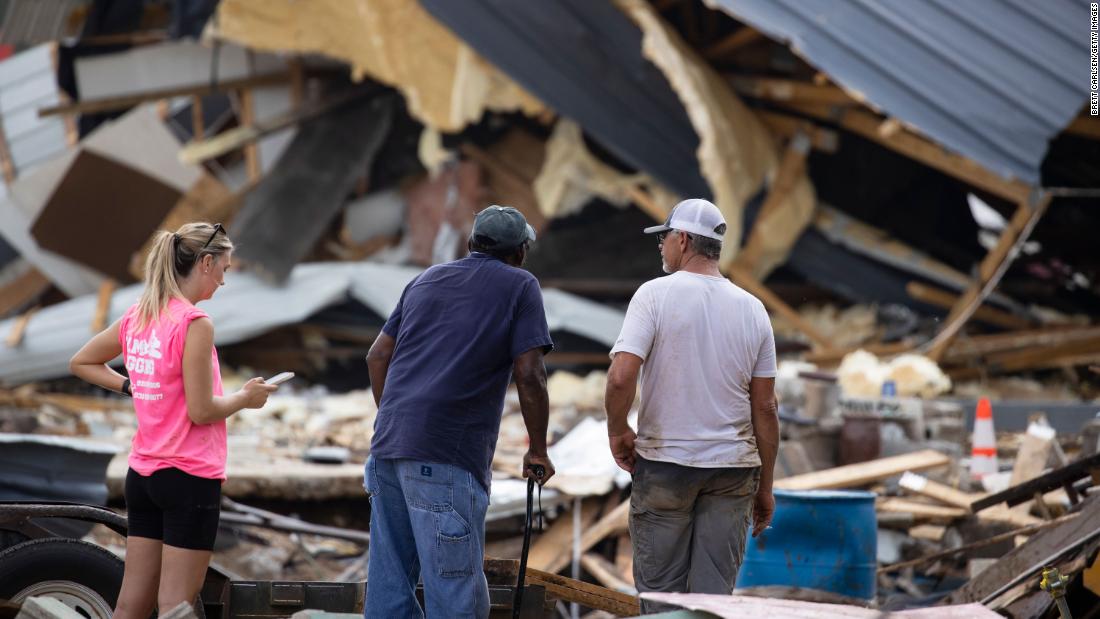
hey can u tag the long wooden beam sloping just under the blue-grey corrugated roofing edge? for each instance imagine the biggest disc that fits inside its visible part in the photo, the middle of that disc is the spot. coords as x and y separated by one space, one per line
916 147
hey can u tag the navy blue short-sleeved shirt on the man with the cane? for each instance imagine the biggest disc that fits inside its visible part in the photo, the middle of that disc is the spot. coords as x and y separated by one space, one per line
458 328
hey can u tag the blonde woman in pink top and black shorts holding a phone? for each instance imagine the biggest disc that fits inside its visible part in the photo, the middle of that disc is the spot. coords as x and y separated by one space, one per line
178 460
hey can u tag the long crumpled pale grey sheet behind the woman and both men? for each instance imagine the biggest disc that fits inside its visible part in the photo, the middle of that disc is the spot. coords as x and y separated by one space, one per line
248 307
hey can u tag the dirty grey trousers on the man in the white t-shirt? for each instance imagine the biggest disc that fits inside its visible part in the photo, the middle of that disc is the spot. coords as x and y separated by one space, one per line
689 527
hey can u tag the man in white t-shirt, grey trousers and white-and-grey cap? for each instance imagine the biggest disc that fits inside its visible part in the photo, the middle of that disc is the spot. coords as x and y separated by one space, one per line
708 427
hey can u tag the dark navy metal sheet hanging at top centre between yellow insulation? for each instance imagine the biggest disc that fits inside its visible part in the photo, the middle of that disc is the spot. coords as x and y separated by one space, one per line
585 60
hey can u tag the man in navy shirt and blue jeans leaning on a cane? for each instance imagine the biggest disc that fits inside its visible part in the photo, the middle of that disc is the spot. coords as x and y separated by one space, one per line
439 372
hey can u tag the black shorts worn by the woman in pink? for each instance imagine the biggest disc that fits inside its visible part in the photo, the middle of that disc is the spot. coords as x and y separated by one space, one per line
174 507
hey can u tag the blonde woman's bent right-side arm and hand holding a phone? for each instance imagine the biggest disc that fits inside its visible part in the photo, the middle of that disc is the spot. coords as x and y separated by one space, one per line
203 406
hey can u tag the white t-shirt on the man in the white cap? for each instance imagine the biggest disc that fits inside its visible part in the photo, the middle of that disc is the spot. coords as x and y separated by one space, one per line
702 339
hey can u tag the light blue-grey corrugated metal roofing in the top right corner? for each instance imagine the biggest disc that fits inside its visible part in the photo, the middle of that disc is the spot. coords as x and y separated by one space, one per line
994 81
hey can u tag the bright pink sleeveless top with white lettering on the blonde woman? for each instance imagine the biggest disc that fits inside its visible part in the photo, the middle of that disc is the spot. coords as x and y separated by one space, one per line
167 438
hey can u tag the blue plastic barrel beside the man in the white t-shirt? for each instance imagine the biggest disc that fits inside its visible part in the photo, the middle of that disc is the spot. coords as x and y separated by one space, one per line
819 539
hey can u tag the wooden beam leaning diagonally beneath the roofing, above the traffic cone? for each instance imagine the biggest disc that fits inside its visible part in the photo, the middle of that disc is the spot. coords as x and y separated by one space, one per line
991 271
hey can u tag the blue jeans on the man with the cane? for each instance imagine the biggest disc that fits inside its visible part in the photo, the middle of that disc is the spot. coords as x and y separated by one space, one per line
427 523
